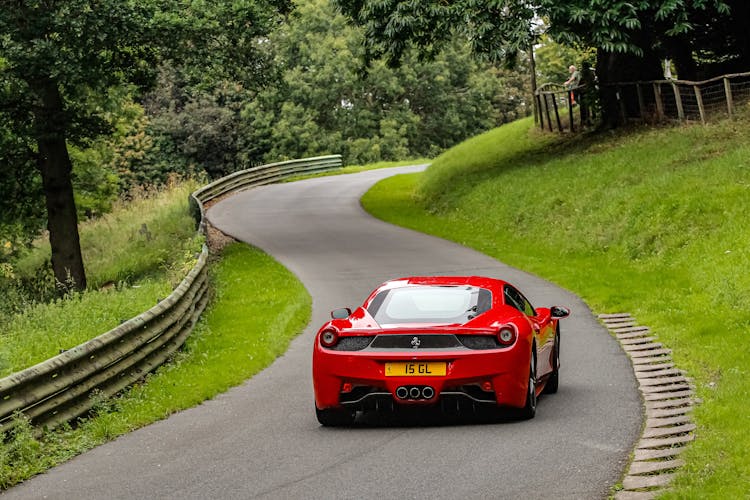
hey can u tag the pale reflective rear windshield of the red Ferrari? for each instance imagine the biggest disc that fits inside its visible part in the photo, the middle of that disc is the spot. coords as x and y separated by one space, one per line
429 304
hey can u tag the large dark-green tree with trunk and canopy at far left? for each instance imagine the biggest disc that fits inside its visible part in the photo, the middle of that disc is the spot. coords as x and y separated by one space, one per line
61 56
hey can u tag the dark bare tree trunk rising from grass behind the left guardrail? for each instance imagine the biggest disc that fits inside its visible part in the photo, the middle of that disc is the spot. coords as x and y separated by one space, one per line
56 168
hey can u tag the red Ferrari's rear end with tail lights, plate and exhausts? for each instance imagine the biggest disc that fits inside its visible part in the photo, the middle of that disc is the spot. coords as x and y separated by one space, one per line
449 367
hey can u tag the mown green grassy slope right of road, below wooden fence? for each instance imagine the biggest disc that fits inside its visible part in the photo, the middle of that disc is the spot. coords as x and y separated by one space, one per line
653 222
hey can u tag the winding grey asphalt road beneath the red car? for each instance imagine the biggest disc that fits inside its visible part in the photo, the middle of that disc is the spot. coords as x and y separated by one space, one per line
261 440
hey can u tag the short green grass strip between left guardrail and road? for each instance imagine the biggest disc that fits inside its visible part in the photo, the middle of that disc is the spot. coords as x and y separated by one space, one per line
241 329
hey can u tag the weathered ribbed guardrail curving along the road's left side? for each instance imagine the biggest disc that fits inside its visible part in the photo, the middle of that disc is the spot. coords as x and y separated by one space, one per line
70 384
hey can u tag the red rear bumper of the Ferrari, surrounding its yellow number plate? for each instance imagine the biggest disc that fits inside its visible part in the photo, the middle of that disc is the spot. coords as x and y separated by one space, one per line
357 380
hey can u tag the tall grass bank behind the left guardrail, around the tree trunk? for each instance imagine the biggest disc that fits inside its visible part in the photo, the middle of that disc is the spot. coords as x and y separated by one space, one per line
140 251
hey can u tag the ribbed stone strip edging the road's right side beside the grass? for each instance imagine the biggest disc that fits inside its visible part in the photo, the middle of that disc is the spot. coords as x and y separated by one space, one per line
668 401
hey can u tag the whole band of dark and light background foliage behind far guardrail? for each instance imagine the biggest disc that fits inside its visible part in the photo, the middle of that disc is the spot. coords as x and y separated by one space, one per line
321 102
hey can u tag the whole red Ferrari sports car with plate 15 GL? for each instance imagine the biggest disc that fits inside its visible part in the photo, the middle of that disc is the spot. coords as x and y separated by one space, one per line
457 342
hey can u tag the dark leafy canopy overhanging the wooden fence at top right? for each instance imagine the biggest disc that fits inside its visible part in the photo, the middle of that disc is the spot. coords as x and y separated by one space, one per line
629 35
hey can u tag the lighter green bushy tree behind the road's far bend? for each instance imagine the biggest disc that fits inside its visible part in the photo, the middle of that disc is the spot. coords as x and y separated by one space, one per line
325 103
